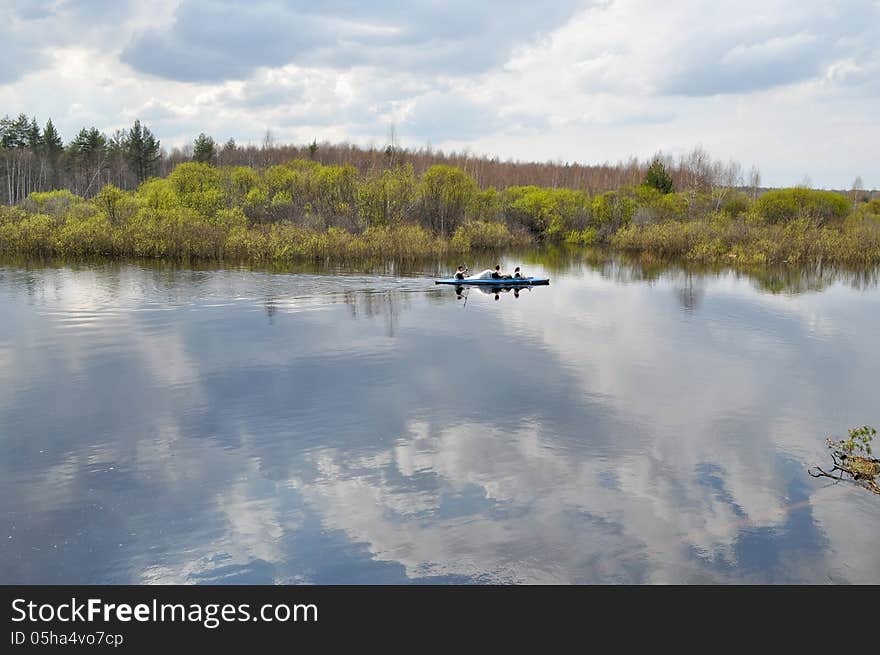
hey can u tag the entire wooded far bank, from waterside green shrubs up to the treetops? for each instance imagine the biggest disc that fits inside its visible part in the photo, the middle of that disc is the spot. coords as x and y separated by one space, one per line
124 196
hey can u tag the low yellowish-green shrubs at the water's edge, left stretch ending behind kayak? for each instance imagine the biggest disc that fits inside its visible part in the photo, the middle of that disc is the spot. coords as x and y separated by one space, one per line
168 237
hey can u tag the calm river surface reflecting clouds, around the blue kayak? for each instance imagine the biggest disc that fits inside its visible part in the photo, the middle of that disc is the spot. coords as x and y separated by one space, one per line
160 425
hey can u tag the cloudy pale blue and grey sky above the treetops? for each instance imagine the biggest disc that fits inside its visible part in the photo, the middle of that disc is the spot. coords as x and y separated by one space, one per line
792 87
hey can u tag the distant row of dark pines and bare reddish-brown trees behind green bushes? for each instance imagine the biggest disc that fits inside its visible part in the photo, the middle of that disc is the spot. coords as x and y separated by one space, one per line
35 158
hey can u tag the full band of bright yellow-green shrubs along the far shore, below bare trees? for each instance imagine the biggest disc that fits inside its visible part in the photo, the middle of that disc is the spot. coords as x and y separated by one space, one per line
304 211
